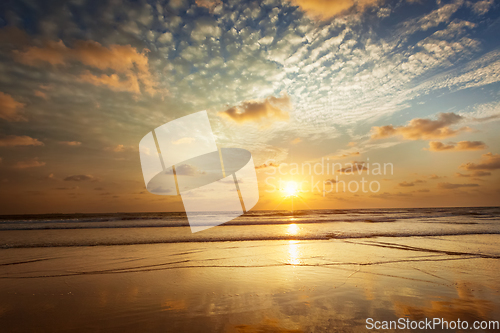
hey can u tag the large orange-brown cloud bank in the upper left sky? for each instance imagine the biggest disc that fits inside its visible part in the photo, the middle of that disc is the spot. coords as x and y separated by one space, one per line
123 59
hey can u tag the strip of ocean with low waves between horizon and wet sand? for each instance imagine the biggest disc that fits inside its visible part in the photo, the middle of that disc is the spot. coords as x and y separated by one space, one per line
151 228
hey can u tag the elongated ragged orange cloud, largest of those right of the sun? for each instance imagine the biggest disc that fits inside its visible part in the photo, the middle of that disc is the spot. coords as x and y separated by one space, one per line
422 129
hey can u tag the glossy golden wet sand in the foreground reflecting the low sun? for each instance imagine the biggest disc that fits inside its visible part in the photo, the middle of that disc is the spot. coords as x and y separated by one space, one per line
250 286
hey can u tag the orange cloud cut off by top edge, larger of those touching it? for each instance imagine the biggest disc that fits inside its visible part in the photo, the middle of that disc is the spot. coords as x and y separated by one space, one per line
325 9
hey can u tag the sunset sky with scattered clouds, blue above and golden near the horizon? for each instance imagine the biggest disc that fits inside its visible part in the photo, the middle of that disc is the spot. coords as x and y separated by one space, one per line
345 84
